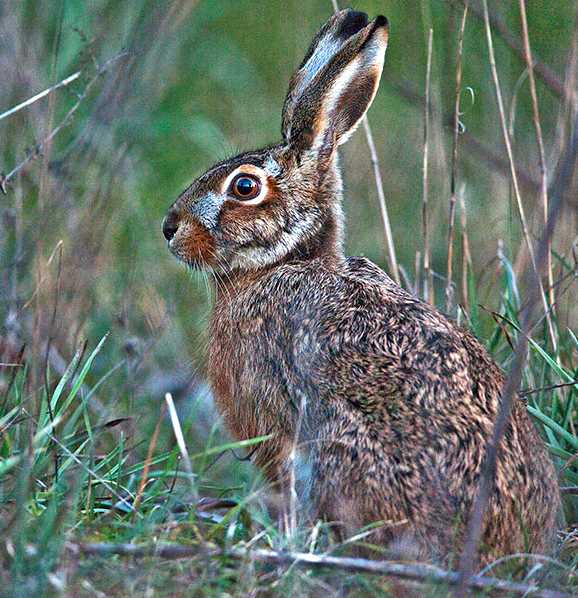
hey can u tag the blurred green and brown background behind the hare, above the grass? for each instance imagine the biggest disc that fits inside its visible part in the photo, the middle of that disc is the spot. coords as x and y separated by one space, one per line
81 251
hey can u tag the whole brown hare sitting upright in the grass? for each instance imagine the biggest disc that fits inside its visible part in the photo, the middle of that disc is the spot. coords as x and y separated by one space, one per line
379 405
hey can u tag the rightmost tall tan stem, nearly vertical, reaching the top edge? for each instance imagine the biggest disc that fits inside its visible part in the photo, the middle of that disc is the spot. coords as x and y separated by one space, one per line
539 141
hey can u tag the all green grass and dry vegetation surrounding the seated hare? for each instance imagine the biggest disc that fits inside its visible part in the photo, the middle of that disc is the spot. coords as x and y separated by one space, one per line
99 322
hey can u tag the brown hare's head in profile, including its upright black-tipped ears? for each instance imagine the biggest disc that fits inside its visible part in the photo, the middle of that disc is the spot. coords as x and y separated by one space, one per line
283 201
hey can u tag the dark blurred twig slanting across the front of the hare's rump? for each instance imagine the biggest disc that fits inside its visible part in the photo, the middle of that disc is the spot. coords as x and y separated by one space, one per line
558 198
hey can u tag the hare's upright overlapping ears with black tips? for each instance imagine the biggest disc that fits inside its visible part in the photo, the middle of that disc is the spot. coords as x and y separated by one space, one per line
336 83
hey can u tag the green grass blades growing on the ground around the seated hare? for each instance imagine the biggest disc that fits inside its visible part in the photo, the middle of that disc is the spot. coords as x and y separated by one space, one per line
70 476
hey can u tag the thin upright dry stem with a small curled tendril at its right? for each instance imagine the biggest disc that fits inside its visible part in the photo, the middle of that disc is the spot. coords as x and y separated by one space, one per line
452 214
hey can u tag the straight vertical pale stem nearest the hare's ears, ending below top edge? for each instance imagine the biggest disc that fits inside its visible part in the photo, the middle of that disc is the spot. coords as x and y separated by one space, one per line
428 278
